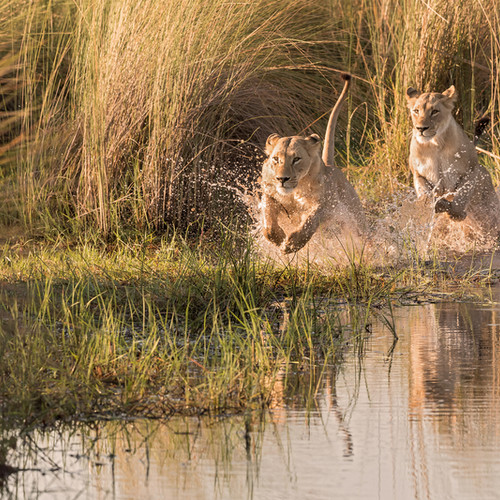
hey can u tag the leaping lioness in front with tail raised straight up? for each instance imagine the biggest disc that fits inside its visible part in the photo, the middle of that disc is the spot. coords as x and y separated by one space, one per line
305 187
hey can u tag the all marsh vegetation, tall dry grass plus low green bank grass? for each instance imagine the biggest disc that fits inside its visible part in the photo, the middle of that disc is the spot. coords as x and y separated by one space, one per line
131 137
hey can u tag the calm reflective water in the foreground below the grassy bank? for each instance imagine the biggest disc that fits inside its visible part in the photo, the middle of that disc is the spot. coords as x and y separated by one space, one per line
418 420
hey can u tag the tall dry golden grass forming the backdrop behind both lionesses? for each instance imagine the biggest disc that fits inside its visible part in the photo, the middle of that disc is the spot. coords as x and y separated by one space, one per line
147 114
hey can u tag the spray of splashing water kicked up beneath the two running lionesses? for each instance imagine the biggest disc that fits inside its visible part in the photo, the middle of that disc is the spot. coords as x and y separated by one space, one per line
407 229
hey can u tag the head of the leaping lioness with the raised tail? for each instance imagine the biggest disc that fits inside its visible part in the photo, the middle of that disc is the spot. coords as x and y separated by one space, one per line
290 159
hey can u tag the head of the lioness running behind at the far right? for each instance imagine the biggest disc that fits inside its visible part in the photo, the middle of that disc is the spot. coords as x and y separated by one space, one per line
430 112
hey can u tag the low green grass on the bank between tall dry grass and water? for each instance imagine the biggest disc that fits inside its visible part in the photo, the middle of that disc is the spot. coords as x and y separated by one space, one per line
166 327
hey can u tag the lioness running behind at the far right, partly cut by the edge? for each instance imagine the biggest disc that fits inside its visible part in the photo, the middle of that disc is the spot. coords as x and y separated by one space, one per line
445 166
